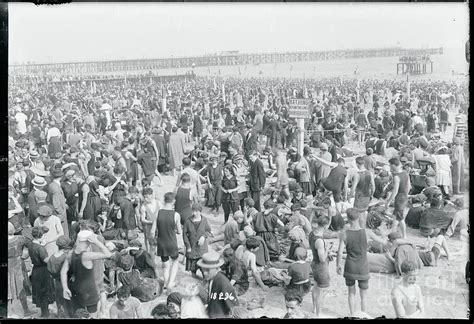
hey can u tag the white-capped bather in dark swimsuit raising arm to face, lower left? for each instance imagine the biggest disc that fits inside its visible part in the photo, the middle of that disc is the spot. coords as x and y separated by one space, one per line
83 291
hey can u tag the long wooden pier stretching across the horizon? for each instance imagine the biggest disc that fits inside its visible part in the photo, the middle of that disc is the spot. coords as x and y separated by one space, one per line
222 59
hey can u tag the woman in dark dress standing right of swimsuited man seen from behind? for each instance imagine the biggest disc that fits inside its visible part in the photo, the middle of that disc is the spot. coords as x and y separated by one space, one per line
196 230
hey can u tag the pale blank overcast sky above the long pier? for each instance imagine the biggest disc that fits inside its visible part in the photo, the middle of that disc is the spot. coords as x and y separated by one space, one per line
93 31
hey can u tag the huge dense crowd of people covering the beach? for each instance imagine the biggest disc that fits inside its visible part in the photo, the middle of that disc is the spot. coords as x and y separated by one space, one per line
89 215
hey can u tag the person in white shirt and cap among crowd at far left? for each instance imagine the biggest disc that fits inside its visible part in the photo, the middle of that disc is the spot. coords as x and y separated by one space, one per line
53 224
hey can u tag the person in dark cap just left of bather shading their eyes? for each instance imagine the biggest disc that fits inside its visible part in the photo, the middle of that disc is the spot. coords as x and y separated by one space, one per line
55 264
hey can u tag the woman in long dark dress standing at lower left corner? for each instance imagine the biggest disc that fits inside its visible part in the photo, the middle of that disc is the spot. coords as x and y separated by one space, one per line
41 280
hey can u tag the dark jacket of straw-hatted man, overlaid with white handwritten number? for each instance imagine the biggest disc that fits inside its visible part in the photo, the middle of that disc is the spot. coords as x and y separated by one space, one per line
222 297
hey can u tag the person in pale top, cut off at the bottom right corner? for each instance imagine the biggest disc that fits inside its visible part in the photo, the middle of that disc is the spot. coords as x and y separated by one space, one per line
407 299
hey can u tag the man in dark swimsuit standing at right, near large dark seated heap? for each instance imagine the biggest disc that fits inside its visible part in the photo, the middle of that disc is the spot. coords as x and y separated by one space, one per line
399 195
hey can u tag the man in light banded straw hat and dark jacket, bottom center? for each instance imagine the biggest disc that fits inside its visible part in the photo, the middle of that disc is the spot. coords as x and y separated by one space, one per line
222 296
